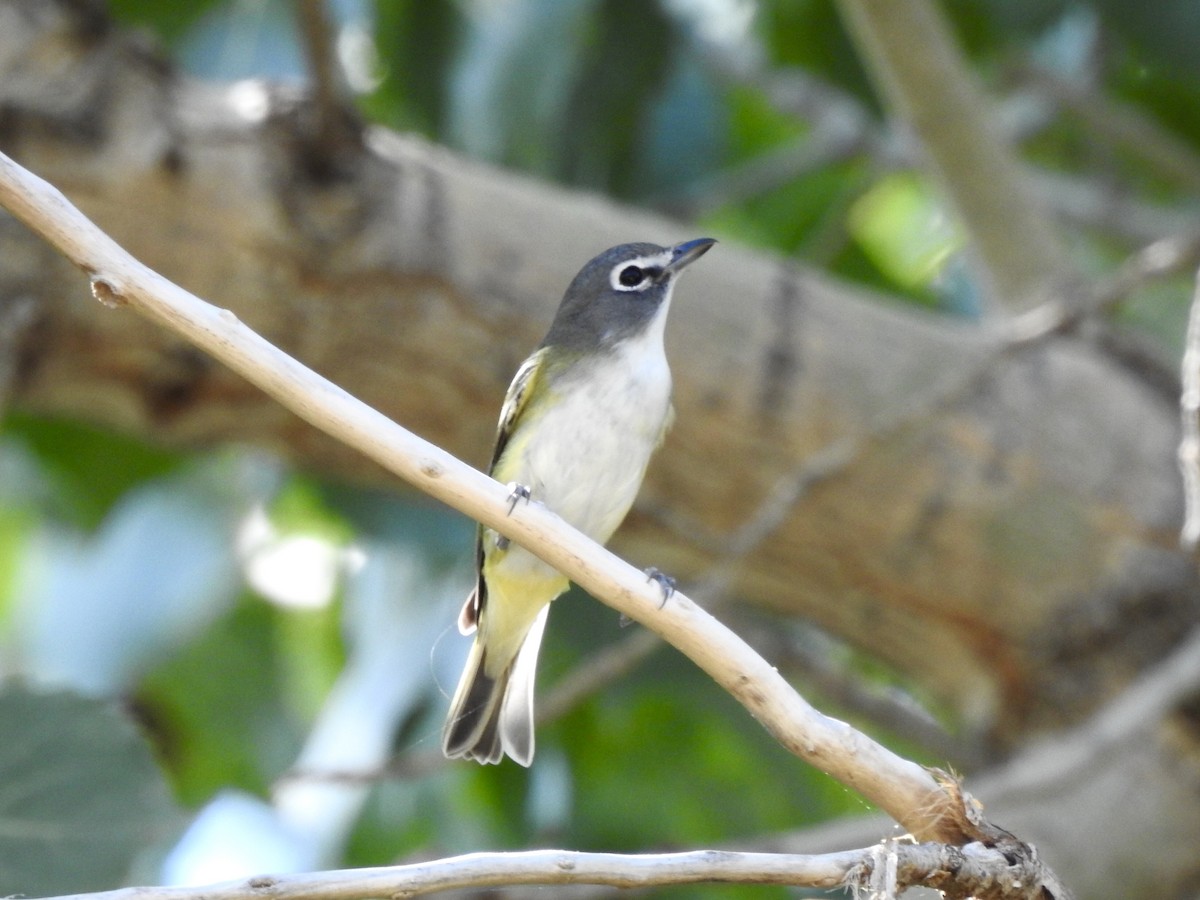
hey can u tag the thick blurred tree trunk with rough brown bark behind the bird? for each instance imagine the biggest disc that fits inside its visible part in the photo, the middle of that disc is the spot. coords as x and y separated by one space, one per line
1005 531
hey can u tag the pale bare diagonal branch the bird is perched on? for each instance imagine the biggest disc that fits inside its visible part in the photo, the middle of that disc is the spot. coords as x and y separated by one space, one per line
903 789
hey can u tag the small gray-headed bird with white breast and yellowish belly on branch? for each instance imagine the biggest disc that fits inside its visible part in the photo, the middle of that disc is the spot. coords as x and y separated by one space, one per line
579 425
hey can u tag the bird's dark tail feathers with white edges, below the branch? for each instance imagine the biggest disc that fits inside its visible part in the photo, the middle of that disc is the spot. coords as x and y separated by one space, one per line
493 716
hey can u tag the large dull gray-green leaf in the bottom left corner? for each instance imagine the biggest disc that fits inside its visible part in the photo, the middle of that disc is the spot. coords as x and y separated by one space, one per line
81 795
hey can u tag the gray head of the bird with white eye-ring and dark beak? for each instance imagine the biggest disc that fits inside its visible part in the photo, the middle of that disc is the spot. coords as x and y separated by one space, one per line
617 295
